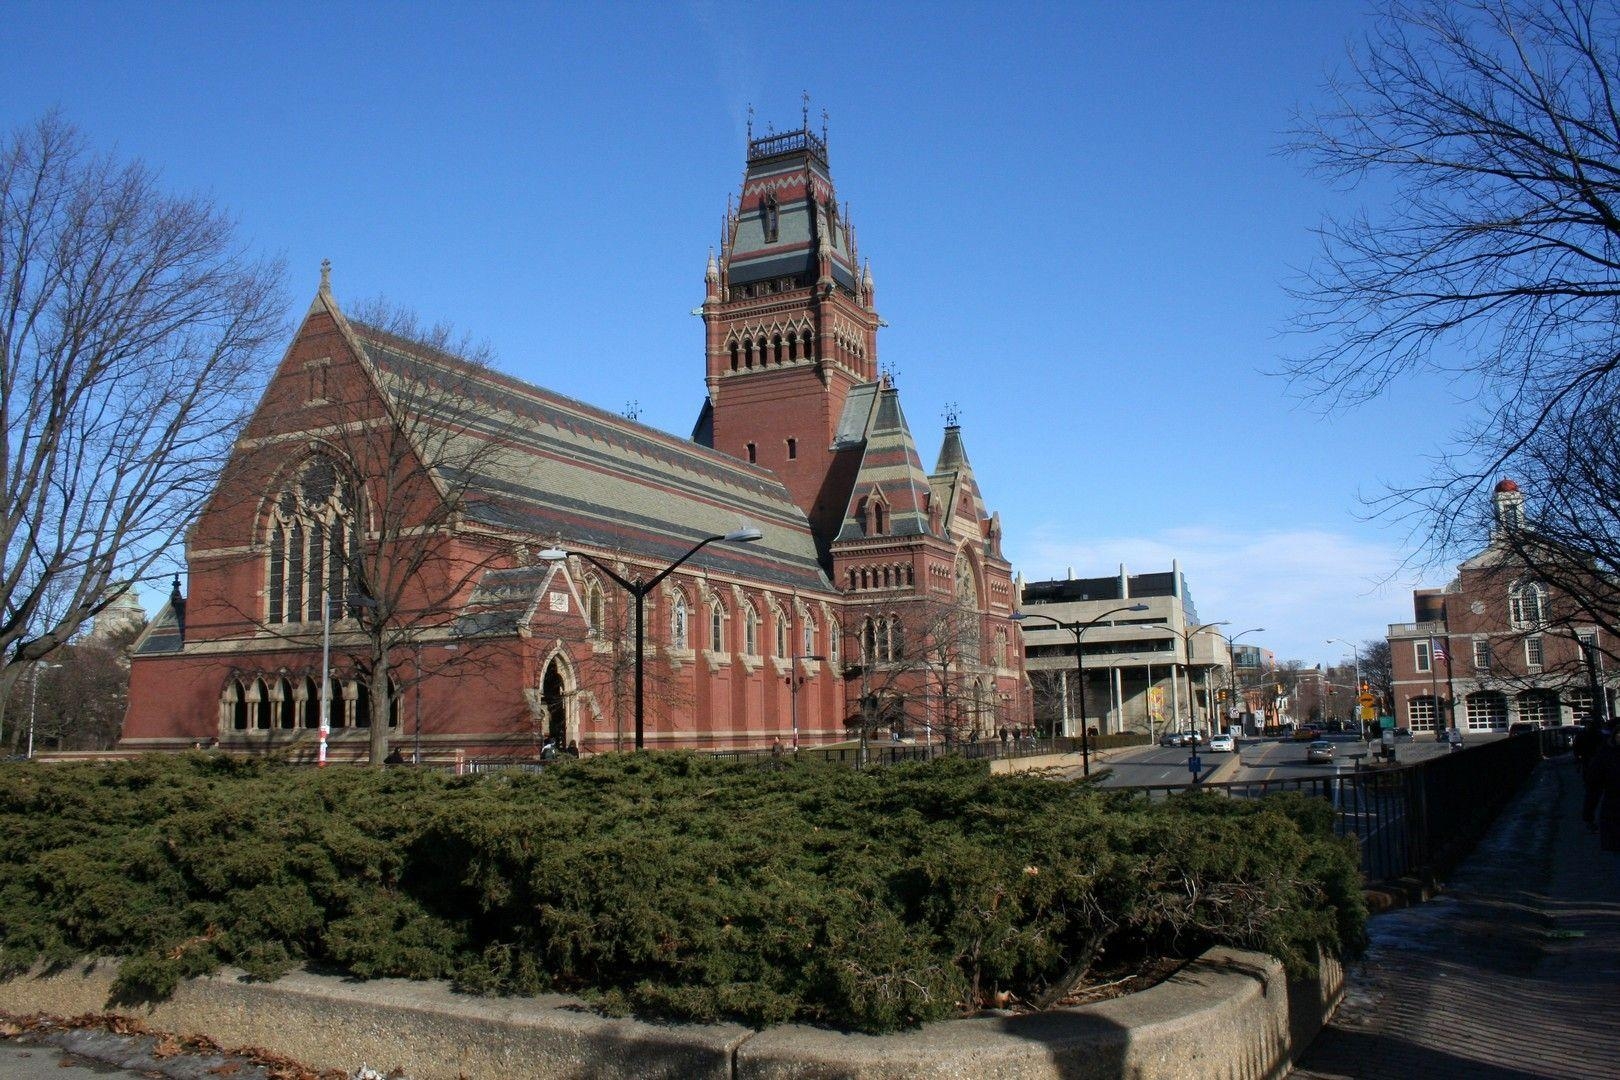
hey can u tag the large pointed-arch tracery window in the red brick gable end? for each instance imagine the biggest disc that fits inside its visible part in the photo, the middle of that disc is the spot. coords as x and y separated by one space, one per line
312 535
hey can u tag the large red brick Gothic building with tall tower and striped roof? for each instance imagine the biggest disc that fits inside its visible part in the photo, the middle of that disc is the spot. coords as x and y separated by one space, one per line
428 487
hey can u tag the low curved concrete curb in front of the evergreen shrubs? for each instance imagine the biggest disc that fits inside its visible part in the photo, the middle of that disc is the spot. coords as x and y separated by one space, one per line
1229 1014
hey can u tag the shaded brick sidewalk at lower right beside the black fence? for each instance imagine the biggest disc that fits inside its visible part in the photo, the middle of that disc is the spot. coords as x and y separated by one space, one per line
1512 974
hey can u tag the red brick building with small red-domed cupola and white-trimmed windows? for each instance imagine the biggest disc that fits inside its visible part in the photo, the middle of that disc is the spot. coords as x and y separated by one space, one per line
1498 647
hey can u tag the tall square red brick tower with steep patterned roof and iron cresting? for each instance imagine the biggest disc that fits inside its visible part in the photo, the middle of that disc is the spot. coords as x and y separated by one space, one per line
791 328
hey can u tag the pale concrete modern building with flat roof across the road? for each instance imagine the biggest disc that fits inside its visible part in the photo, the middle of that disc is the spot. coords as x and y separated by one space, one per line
1143 670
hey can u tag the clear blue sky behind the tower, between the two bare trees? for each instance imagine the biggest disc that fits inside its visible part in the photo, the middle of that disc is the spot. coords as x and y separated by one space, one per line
1078 218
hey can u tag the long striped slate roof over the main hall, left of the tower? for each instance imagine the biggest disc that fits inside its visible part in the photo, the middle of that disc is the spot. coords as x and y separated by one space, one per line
553 467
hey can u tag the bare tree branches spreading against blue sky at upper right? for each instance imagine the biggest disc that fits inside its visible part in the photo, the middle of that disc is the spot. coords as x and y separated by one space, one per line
1496 258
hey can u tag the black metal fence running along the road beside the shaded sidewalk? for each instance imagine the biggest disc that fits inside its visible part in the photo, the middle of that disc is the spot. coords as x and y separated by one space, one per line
1415 820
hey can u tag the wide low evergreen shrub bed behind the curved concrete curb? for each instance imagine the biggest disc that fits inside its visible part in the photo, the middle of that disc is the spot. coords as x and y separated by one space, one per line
665 885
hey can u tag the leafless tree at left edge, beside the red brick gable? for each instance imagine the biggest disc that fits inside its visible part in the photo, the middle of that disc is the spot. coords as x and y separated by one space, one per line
132 328
